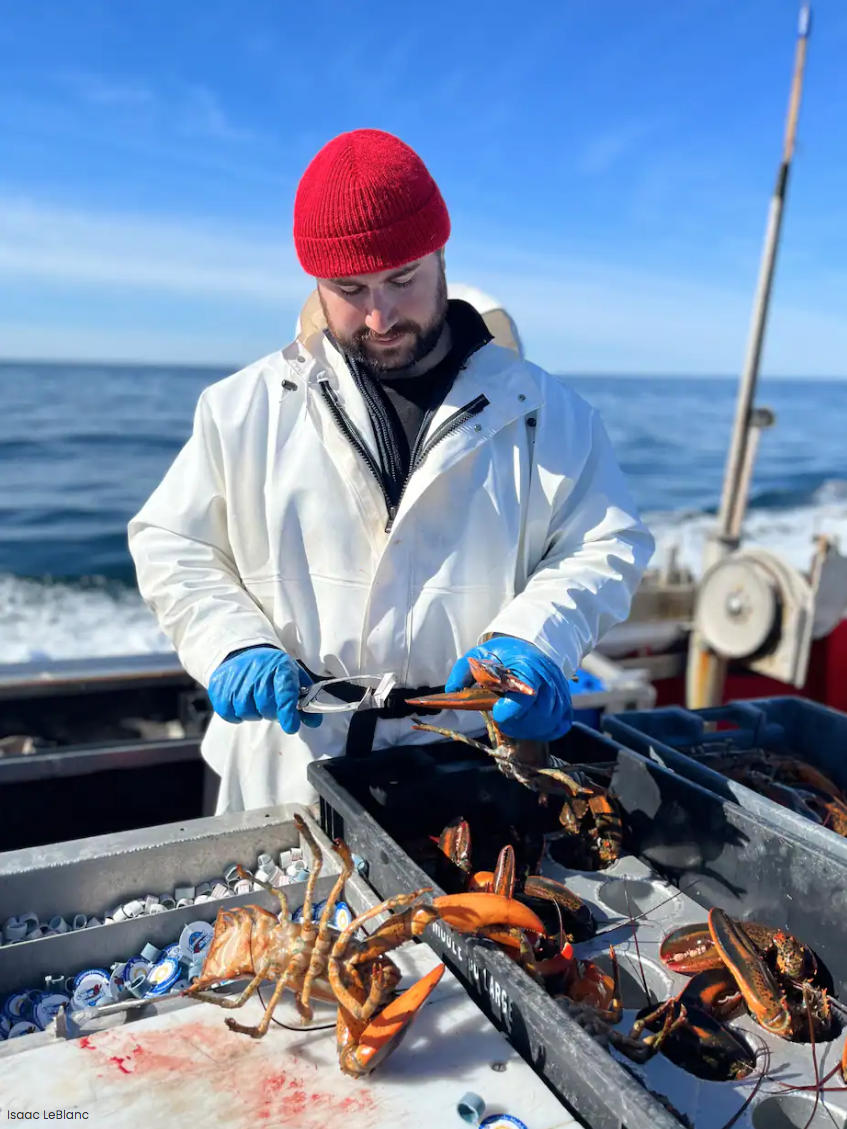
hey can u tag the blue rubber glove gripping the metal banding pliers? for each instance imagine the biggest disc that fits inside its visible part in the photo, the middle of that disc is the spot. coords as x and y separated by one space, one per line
261 682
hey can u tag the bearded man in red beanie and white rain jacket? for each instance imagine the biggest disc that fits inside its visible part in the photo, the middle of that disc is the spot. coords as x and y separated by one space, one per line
386 494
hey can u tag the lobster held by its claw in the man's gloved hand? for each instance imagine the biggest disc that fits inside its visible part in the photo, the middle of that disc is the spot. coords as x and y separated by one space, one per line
529 763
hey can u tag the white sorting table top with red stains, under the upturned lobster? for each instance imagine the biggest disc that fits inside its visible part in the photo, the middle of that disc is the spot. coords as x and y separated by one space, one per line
185 1067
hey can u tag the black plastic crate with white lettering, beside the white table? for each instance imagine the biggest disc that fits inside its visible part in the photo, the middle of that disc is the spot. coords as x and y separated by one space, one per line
720 854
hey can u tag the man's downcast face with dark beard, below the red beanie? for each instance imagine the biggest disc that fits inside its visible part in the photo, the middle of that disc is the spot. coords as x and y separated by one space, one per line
391 320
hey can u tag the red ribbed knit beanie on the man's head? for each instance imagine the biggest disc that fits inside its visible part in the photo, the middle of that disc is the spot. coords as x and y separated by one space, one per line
366 204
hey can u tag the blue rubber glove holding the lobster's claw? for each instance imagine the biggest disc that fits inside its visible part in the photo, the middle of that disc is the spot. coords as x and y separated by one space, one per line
545 716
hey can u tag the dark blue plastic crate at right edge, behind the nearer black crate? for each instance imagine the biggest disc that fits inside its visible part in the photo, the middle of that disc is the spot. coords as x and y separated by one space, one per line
781 725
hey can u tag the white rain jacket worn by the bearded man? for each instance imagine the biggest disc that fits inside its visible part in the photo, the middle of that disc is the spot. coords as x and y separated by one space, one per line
269 528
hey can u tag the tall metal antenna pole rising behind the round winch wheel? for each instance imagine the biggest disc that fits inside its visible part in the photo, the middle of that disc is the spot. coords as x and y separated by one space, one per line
708 671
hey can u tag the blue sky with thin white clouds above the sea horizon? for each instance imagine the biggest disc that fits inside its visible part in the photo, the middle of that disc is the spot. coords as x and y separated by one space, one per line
608 168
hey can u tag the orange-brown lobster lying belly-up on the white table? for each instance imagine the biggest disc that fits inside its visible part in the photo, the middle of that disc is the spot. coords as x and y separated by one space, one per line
316 961
